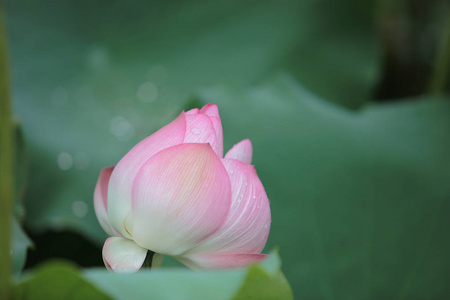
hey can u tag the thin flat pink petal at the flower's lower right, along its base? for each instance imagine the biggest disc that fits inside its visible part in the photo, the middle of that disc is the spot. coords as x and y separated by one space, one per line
220 261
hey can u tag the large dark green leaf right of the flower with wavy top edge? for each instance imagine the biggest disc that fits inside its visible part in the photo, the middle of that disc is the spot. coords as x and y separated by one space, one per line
359 200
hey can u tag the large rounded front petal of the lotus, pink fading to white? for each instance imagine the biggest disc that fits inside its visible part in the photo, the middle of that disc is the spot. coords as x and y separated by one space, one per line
180 196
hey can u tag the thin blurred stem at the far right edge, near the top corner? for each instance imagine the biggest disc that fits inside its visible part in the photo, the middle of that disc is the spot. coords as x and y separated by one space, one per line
442 64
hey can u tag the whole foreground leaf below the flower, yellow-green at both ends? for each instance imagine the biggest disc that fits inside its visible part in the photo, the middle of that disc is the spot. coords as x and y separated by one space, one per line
61 280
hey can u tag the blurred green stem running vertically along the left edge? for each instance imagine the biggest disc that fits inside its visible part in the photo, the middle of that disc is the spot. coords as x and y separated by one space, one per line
6 167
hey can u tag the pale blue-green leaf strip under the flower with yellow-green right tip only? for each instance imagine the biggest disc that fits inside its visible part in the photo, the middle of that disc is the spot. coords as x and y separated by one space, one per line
262 281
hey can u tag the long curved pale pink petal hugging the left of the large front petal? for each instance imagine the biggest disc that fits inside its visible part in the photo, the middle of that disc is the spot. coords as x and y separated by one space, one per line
119 191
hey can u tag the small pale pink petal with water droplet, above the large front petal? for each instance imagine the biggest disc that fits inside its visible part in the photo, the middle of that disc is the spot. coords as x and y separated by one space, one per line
200 129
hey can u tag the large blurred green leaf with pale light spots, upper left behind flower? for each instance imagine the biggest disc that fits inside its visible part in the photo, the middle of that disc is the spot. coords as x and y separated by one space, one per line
91 79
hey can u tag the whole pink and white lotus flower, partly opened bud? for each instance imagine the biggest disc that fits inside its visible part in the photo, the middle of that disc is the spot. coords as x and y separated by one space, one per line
174 194
